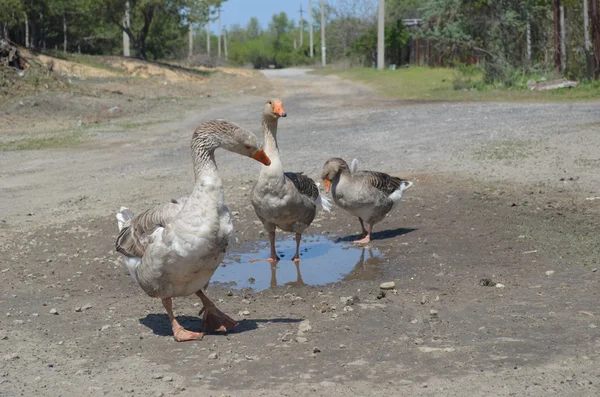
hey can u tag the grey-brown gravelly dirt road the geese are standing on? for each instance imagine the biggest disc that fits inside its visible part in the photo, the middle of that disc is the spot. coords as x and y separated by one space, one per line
503 191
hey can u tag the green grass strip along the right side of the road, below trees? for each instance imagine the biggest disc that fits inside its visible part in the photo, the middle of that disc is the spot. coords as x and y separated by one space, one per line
437 84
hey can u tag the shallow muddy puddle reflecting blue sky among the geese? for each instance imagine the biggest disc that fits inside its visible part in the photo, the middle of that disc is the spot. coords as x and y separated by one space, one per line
322 261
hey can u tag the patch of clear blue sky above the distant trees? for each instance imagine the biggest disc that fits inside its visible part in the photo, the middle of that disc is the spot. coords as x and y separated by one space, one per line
240 11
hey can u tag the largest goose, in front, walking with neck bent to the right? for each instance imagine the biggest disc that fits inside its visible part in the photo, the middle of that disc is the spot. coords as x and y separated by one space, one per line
172 250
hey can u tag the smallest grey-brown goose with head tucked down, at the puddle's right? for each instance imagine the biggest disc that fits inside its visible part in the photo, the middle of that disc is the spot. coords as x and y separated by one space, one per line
369 195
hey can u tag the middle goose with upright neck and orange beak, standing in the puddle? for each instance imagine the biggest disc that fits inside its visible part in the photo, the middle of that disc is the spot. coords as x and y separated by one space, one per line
287 200
